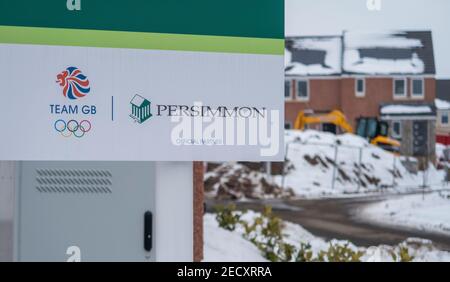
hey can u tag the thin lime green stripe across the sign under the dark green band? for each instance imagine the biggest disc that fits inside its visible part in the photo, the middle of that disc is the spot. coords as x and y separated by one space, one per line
139 40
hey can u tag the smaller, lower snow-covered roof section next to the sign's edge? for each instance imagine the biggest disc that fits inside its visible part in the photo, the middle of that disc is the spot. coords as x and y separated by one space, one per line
313 56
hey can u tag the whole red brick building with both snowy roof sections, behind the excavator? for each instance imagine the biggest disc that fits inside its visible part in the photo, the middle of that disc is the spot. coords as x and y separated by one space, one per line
358 73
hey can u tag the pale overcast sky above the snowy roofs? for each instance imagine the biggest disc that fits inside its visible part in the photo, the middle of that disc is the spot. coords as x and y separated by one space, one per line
328 17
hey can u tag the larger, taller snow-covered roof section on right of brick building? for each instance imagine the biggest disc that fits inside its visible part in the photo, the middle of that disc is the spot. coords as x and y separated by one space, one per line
390 52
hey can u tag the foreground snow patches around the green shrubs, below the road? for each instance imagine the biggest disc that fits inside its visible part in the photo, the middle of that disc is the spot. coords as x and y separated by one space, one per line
221 245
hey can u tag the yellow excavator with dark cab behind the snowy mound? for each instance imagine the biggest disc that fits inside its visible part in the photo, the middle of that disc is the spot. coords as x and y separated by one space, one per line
374 130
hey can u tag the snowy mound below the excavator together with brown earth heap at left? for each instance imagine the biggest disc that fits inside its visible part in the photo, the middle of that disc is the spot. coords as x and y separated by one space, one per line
360 169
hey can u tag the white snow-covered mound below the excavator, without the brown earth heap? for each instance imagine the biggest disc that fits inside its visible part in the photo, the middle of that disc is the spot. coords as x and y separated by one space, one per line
311 156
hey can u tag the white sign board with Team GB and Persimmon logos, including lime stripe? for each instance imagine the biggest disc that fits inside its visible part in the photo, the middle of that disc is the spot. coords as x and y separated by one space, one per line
85 94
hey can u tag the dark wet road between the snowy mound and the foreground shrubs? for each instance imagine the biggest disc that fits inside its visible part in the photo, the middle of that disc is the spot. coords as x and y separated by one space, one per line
334 219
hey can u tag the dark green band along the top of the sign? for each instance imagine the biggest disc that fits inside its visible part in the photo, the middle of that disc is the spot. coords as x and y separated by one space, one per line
240 18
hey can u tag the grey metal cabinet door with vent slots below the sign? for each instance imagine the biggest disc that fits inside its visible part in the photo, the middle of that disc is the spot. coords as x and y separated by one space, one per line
96 208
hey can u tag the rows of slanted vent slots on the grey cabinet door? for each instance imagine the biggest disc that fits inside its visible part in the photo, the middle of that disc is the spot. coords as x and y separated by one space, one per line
74 181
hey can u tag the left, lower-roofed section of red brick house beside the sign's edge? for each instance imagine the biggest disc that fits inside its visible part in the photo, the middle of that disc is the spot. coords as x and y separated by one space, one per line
313 75
